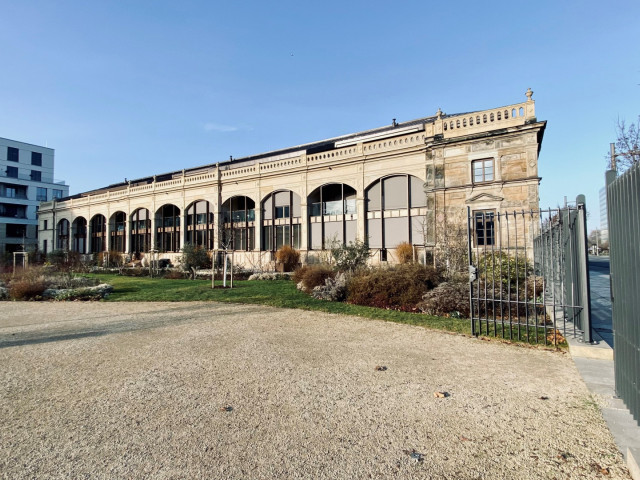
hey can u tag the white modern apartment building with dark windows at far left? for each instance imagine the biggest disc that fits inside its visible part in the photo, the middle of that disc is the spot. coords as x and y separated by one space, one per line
26 179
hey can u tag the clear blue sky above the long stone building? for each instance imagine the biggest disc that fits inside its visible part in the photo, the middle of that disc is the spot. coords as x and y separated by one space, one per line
129 89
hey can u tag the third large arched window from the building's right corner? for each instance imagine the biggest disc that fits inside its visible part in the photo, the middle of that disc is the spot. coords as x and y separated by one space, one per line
281 219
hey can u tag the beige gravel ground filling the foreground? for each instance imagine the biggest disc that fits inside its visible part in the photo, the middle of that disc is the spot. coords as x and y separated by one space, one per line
134 390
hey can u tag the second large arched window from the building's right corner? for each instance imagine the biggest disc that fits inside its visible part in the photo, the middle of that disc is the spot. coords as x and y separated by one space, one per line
332 215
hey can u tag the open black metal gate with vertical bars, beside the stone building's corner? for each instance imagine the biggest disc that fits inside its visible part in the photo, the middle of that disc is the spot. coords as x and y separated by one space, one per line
528 274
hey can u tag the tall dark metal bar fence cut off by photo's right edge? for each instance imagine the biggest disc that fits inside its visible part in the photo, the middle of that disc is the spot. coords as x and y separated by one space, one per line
623 206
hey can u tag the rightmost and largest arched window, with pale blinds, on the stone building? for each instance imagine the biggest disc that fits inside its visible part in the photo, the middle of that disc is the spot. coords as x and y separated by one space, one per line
395 214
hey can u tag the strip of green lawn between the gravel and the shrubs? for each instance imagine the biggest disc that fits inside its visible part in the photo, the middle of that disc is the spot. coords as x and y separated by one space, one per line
276 293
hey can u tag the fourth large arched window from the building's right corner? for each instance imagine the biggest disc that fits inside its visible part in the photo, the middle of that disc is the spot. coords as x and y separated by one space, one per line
238 223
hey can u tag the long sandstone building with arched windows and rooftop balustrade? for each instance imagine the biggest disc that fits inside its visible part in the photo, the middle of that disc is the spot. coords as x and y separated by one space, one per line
403 182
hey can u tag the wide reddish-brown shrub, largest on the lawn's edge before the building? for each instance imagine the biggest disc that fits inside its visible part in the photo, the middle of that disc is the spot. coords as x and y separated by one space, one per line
399 287
